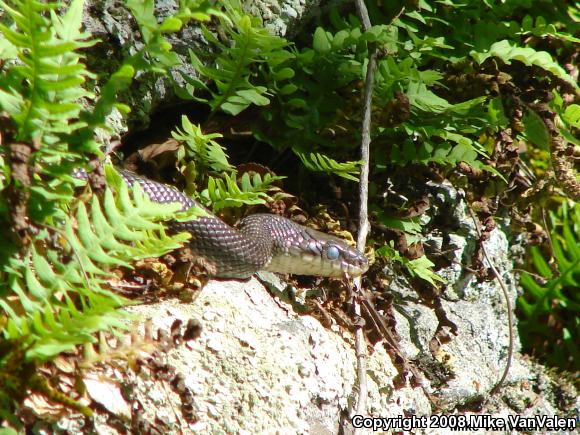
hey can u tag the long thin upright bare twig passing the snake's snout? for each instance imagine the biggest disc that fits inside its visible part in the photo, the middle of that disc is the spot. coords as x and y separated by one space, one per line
360 343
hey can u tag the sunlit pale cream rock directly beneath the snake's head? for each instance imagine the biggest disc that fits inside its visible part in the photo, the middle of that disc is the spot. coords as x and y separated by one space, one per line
258 366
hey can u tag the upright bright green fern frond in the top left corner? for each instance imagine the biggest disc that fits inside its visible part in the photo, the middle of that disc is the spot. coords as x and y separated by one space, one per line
42 93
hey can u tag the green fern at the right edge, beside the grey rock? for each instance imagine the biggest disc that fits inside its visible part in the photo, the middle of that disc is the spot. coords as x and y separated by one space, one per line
554 295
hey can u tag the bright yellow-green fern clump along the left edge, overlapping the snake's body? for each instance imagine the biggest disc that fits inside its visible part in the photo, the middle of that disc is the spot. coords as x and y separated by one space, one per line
54 290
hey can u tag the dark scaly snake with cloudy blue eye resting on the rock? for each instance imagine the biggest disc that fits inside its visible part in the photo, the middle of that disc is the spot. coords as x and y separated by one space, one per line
259 242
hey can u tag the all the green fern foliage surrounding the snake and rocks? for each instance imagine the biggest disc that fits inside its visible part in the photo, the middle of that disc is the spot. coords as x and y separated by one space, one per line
471 91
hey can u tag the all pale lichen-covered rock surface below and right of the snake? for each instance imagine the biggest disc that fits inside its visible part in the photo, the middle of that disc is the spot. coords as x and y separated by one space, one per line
259 367
